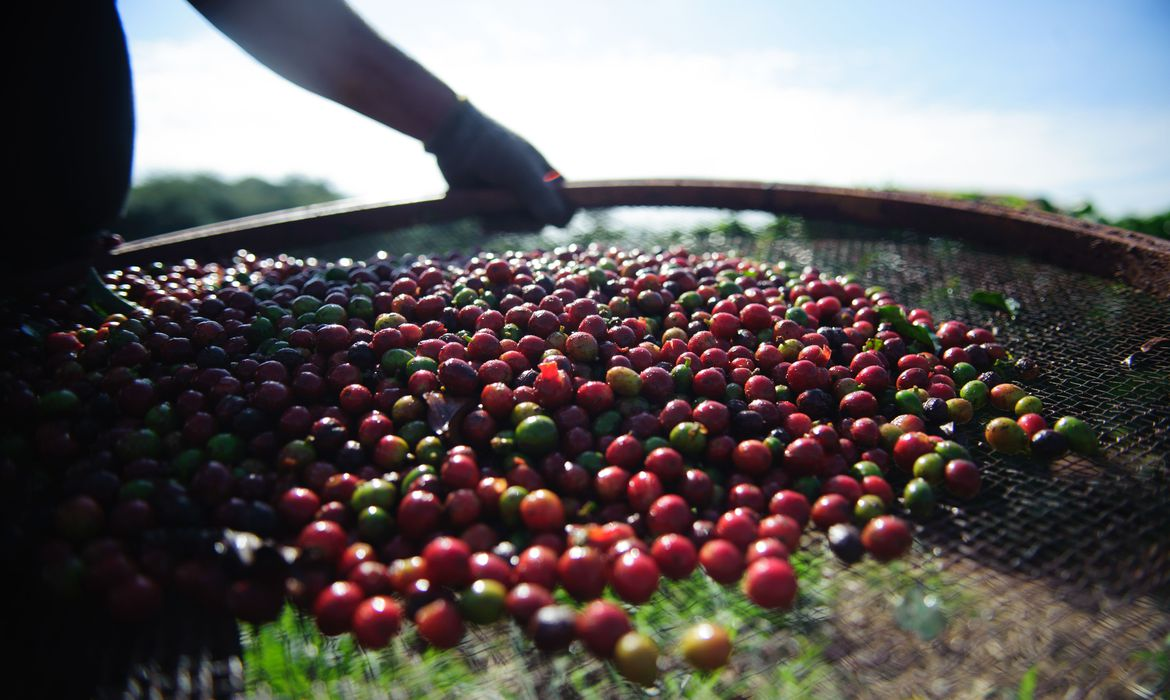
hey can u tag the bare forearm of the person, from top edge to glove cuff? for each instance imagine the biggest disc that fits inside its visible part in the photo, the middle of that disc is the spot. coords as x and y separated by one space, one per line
327 49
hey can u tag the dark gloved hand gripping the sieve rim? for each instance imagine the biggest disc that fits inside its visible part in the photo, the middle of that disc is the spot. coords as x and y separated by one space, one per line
476 152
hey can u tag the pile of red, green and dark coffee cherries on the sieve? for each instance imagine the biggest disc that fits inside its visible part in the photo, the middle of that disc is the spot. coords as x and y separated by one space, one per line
450 441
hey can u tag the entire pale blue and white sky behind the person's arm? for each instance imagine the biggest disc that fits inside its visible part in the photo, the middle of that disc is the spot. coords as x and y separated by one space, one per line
1066 100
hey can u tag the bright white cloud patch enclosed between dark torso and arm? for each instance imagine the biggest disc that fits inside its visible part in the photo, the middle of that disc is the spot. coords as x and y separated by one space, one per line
203 105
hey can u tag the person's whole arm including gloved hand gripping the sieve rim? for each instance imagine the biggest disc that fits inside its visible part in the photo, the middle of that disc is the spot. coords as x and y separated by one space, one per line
325 47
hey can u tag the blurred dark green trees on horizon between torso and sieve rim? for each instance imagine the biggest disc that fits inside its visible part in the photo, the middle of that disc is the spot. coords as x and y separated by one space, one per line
174 202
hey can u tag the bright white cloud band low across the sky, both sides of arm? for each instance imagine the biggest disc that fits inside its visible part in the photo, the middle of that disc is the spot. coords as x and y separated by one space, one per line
637 112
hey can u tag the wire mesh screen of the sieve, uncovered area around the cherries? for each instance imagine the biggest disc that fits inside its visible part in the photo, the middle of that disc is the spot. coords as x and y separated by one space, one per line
1054 581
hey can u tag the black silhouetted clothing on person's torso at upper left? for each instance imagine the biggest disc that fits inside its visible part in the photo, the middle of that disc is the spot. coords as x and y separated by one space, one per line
74 136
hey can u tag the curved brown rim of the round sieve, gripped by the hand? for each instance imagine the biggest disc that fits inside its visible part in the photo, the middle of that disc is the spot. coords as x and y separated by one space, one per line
1138 259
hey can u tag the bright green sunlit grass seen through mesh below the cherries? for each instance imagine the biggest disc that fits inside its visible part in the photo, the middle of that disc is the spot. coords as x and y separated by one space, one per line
775 654
